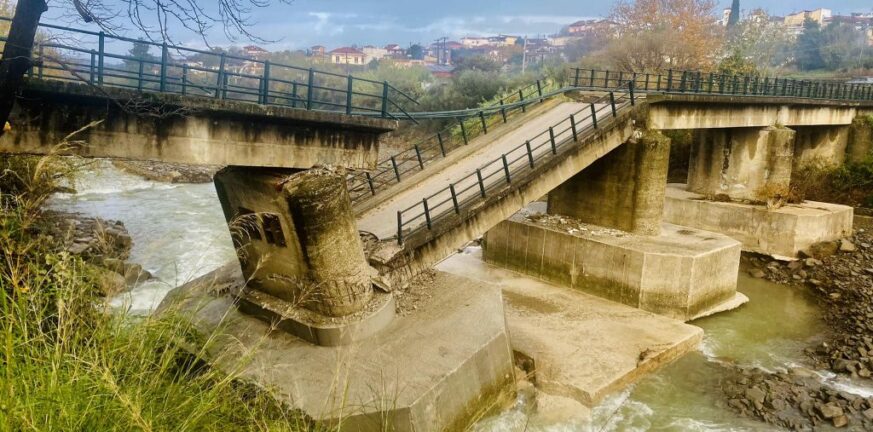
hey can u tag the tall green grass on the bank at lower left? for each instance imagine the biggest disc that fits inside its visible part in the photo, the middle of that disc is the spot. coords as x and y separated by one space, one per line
67 363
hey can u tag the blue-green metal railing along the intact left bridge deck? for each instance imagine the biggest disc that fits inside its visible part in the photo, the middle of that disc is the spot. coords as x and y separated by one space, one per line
101 59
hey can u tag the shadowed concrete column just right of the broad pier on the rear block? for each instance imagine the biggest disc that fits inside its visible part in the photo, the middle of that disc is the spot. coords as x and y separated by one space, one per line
820 146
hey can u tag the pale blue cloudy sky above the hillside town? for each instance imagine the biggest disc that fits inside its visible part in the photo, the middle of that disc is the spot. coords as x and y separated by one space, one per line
333 23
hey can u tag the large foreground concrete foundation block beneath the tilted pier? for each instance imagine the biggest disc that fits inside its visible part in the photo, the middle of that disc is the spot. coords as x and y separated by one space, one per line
431 370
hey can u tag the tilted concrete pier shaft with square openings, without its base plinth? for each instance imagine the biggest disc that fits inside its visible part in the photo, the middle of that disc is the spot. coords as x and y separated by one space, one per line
296 237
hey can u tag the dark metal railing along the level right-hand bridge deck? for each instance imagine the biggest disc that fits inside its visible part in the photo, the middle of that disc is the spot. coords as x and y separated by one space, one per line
713 83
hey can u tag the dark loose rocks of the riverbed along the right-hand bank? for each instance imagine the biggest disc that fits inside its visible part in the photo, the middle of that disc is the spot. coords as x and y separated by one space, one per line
840 275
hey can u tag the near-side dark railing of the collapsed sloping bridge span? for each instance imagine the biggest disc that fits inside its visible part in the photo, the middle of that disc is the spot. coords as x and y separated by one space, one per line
499 173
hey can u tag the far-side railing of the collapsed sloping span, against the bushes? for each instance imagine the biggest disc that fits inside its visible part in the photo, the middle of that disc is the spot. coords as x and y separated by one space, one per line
470 125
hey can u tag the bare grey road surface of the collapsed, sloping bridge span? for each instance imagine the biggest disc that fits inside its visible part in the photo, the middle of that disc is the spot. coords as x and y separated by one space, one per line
382 220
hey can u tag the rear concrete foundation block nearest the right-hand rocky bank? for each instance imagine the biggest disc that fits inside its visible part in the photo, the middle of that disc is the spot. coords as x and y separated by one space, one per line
781 233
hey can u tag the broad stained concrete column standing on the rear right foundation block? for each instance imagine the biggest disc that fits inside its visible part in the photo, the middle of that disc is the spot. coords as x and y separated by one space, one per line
742 163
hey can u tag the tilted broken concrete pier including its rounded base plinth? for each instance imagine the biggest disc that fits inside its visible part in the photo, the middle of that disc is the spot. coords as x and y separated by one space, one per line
301 254
